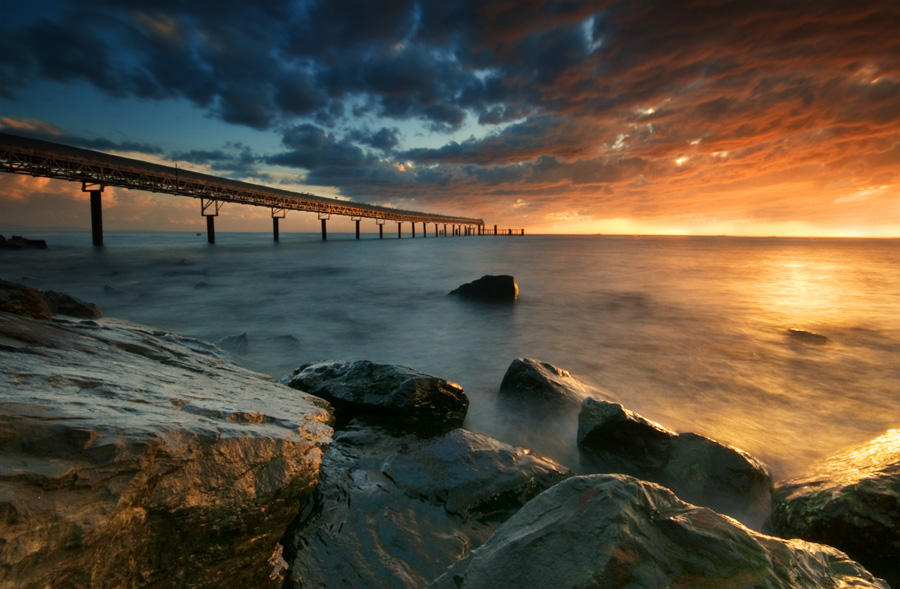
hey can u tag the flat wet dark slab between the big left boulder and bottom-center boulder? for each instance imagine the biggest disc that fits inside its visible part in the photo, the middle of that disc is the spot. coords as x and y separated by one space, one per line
396 510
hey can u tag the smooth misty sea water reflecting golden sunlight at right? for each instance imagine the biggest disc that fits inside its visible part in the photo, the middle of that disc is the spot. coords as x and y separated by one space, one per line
690 332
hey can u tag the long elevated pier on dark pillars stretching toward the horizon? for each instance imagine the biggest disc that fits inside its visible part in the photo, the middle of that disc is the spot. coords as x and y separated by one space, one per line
96 170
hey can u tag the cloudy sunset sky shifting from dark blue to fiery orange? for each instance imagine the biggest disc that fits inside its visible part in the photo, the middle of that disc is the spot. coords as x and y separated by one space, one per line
702 117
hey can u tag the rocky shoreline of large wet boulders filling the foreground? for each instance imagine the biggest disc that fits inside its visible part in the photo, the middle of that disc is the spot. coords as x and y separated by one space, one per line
131 457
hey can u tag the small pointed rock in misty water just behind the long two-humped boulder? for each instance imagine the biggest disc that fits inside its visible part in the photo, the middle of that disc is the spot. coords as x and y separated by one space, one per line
541 385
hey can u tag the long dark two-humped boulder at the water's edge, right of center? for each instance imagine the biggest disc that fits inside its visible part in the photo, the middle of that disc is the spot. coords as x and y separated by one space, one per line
699 470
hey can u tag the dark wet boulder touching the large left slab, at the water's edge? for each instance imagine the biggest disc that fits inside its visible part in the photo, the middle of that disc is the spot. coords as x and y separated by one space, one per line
394 394
